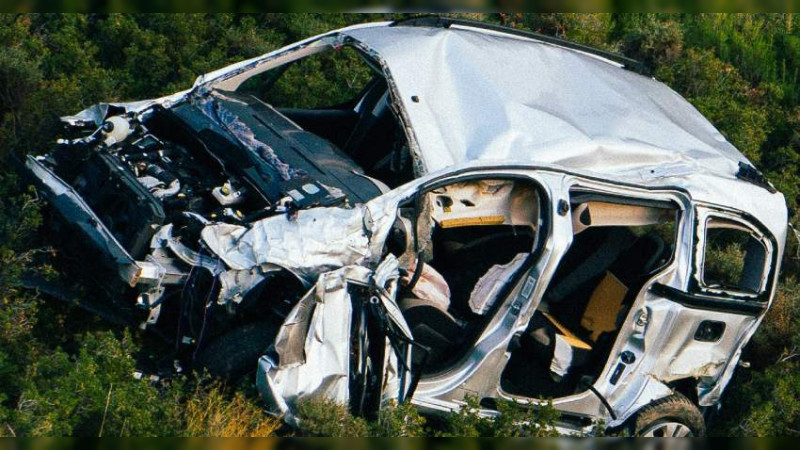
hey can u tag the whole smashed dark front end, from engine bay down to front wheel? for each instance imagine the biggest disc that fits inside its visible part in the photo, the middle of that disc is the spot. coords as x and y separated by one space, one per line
141 187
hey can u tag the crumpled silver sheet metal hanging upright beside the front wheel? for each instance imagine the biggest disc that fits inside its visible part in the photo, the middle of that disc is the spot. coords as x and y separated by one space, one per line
311 359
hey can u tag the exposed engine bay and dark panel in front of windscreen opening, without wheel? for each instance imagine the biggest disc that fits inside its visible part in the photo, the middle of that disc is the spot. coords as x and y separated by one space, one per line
218 159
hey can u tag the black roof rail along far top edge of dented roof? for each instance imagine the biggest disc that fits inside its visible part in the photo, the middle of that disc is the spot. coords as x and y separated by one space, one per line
434 21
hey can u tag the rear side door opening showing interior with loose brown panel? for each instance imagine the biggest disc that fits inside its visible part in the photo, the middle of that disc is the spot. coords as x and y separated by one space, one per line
617 246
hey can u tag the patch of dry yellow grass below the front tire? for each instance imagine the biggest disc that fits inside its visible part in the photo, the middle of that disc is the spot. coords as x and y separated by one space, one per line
210 412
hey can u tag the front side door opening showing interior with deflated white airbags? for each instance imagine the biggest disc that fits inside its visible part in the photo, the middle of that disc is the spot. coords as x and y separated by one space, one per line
464 246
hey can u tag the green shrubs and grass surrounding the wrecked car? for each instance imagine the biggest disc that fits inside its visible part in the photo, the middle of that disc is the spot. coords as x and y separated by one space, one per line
63 372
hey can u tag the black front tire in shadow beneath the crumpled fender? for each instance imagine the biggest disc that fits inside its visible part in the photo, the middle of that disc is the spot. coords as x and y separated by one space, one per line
235 354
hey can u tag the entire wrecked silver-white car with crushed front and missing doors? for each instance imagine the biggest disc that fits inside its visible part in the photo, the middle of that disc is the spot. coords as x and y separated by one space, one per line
493 214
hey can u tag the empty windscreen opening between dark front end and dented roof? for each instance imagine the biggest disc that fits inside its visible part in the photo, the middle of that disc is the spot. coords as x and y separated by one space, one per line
360 122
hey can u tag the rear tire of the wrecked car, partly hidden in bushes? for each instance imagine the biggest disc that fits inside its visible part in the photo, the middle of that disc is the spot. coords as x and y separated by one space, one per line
669 416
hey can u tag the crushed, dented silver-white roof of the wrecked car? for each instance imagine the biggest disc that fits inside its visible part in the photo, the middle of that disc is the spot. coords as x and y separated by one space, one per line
476 94
